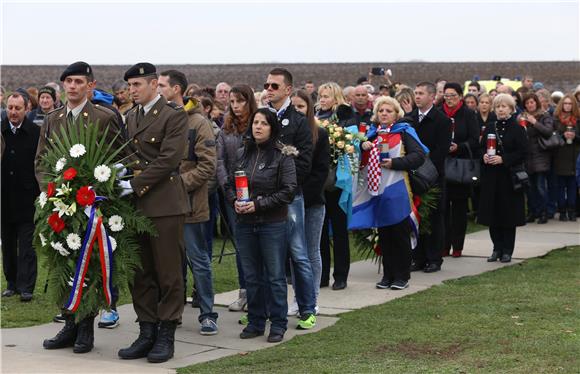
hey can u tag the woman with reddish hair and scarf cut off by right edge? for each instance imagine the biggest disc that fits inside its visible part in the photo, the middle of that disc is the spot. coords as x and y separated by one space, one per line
566 117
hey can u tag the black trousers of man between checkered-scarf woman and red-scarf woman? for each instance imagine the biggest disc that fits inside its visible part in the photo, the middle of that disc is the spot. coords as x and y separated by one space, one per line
429 247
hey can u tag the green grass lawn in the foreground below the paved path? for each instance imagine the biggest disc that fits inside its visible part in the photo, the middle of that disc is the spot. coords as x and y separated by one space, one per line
519 319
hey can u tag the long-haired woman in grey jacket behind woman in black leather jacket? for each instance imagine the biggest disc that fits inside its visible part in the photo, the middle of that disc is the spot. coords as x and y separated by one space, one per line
236 121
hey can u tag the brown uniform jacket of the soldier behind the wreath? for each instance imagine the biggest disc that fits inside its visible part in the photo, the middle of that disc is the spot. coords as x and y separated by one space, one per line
56 120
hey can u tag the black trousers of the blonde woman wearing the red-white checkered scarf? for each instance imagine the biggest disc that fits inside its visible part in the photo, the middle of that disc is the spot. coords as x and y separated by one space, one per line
395 243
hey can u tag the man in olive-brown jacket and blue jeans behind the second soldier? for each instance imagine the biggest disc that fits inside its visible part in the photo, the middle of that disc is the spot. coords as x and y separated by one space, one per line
196 169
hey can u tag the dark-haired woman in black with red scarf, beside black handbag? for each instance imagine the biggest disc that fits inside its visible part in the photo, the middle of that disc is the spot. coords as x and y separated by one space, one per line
464 137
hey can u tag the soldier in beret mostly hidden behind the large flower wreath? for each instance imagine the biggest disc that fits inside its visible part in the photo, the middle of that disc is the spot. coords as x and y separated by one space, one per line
77 80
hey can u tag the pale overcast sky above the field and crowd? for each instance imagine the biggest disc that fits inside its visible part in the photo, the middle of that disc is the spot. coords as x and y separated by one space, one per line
218 32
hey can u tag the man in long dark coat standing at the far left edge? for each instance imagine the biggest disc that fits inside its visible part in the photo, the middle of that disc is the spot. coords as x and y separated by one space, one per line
19 190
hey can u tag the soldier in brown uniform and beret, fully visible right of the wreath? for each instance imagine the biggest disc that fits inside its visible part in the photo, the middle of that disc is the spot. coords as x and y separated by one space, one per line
157 130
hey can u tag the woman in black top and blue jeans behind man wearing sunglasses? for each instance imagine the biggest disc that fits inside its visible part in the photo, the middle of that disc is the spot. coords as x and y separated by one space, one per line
312 189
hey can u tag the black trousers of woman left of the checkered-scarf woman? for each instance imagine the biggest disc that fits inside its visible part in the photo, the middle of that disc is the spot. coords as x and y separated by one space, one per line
336 217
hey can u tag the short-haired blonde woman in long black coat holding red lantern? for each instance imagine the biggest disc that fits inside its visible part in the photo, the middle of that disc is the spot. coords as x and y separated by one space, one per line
501 207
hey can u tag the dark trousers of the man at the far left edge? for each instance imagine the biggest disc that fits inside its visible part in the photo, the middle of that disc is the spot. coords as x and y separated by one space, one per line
18 256
